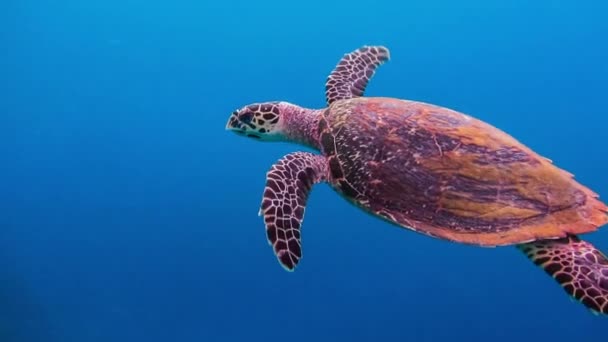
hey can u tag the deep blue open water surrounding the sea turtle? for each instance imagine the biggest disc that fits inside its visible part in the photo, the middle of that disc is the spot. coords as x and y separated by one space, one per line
128 213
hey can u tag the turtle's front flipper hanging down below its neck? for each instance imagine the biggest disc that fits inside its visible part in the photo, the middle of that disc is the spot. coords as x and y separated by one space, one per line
288 184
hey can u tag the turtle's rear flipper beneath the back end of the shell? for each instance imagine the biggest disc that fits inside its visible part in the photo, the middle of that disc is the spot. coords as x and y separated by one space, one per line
579 267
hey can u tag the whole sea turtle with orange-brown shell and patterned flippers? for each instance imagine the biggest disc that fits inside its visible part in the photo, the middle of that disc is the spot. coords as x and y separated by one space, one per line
429 169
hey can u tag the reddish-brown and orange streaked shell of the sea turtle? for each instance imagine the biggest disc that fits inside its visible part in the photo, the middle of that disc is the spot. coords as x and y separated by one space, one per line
448 175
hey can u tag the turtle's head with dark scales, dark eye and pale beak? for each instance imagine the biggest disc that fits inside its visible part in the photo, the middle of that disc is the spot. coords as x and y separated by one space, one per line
262 121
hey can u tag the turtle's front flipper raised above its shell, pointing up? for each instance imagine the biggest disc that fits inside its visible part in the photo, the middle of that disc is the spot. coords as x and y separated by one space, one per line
350 77
